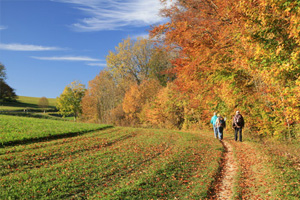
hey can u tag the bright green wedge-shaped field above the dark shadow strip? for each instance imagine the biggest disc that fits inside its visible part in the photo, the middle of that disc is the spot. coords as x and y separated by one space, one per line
24 129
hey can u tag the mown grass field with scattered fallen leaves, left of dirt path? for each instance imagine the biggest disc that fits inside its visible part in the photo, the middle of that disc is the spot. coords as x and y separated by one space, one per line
115 163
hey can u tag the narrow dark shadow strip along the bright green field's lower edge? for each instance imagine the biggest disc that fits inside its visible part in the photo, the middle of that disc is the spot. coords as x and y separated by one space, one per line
50 137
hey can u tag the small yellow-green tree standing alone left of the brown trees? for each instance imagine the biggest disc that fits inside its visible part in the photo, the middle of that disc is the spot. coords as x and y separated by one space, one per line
69 102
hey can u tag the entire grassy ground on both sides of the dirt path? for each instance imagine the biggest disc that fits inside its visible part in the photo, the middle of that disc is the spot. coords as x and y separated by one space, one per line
51 159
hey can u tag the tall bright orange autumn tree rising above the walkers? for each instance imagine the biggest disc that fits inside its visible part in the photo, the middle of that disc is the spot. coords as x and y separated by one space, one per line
210 67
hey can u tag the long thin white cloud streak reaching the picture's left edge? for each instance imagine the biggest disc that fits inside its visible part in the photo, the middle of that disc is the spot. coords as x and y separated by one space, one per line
27 47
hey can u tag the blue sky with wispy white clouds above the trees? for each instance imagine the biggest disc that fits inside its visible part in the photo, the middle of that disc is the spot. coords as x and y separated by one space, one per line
47 44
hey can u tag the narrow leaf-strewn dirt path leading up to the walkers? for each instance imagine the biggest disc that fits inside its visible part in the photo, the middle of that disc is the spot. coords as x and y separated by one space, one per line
226 182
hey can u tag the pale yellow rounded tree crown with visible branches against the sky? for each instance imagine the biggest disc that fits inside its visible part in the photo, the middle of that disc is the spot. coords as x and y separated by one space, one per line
138 60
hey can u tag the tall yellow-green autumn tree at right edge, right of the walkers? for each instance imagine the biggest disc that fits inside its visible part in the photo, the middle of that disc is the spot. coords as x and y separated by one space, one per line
274 41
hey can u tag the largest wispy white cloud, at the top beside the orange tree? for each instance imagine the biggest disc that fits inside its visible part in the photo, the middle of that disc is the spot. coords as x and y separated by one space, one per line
115 14
